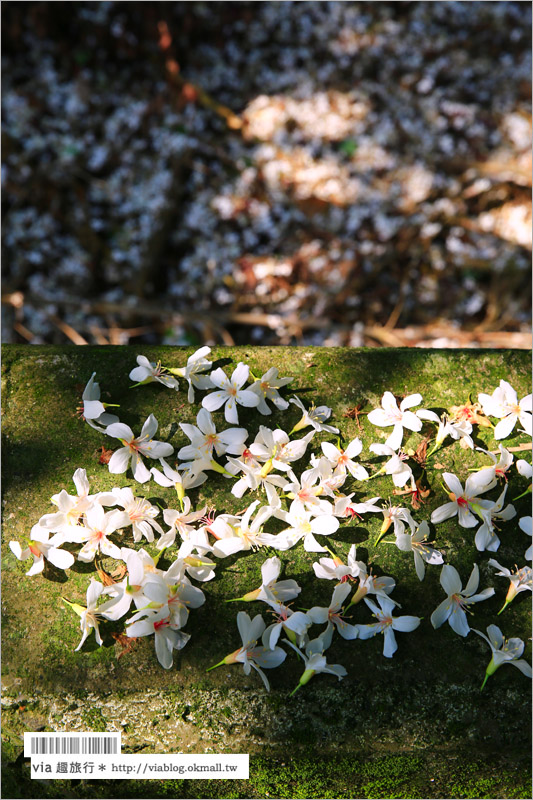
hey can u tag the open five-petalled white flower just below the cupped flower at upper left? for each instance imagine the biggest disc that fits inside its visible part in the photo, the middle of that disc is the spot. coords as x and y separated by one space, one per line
133 448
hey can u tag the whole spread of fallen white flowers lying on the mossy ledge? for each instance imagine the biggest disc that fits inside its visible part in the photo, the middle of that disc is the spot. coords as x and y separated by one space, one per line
288 506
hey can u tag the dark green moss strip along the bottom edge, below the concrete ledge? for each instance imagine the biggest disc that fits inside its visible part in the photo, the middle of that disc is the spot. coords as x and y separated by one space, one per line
401 776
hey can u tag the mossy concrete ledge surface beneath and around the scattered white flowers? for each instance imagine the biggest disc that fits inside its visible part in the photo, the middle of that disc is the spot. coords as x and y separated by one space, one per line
424 701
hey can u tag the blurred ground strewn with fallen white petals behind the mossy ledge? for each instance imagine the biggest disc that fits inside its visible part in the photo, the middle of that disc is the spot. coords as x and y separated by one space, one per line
317 173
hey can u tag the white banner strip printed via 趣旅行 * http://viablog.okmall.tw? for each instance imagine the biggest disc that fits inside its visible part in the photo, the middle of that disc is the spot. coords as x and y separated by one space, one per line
156 766
